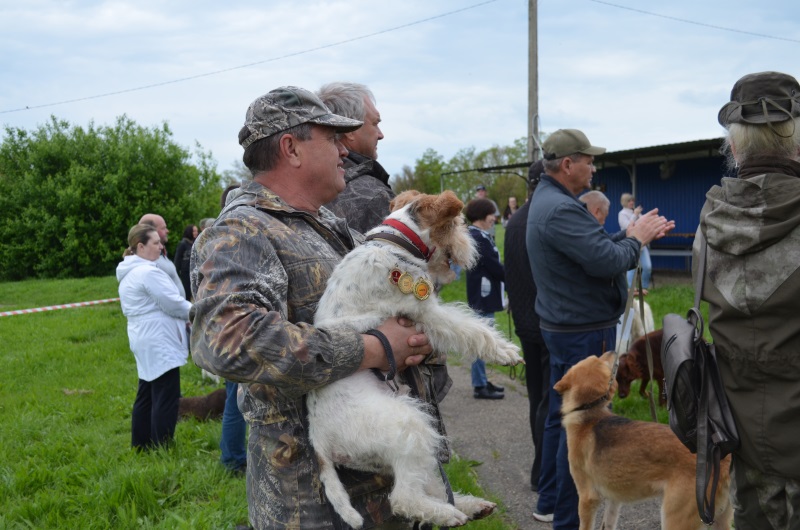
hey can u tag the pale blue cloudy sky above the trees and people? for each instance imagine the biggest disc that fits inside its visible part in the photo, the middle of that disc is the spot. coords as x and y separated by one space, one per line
447 75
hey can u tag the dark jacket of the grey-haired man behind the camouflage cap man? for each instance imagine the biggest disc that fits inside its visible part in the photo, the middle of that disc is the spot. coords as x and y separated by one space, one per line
365 200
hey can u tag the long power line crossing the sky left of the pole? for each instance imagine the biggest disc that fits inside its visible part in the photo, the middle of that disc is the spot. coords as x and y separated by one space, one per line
249 65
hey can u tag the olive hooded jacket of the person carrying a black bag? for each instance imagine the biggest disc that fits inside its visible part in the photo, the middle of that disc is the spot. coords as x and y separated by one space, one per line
752 285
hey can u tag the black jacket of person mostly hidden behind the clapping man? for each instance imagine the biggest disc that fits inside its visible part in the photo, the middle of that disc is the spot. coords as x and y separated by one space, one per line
520 285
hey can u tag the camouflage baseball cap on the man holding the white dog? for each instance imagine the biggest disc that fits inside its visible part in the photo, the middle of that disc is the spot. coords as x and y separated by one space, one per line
286 107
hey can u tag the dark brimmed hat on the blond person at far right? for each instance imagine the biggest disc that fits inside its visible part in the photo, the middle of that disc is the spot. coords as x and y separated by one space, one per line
763 97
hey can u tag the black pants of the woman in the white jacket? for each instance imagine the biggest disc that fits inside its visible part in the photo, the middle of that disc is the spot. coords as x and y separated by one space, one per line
155 411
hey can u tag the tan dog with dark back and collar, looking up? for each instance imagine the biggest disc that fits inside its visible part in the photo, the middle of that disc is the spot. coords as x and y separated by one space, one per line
625 461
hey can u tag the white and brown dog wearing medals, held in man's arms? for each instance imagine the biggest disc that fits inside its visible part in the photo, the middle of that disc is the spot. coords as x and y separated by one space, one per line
360 421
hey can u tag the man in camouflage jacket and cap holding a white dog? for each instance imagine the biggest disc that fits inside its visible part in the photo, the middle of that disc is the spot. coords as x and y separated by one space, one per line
258 274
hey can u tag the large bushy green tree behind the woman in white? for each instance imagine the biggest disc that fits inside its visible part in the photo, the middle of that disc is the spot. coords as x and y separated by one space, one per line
68 194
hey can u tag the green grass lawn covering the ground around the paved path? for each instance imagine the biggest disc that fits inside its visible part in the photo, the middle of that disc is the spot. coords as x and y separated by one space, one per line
66 390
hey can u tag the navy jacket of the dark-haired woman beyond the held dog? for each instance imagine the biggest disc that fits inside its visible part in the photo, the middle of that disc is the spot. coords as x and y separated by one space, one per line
485 280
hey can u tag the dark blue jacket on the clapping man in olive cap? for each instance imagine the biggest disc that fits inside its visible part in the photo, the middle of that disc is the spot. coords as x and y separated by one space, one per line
579 268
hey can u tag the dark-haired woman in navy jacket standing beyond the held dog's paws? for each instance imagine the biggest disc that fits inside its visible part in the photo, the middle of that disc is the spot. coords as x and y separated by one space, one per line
484 284
